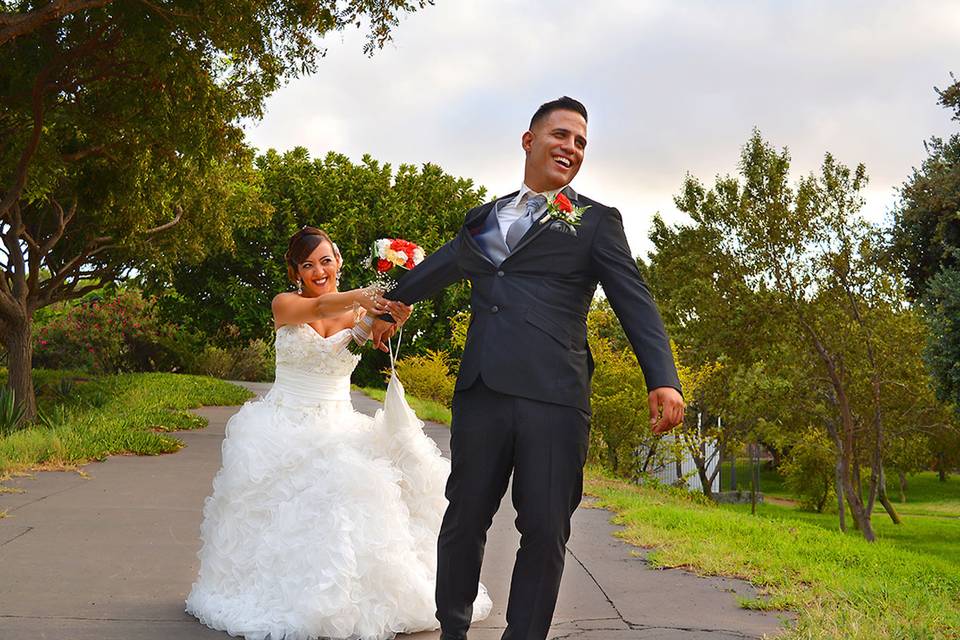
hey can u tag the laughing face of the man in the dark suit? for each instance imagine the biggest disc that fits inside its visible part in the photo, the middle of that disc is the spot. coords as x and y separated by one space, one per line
554 146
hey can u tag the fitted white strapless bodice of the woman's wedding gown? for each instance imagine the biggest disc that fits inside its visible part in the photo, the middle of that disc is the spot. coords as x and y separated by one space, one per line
312 368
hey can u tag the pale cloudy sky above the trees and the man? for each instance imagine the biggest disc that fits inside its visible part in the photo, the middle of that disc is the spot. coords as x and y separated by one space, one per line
671 87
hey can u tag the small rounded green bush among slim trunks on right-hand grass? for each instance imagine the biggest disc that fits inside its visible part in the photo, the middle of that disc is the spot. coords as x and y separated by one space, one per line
809 470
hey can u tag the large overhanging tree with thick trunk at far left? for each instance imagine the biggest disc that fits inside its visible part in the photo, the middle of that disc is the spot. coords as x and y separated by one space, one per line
120 143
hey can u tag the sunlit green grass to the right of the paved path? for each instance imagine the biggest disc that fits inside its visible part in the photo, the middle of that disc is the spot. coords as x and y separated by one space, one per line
904 586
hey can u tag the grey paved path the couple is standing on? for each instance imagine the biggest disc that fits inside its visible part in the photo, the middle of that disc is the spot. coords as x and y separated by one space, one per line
112 556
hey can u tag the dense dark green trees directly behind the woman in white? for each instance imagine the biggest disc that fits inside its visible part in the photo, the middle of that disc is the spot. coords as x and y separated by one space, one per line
356 203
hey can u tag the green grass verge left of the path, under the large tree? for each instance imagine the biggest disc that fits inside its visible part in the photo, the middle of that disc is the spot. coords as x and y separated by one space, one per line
108 415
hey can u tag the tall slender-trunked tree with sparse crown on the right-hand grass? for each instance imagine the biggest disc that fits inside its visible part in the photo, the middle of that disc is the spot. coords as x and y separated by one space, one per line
811 260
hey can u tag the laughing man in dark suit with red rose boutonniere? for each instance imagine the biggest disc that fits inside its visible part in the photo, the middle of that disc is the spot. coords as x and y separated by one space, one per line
522 401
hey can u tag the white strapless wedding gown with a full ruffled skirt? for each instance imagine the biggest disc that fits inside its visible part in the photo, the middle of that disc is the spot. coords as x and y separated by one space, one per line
323 522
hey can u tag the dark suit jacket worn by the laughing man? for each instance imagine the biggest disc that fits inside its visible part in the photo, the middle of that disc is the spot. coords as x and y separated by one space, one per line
528 330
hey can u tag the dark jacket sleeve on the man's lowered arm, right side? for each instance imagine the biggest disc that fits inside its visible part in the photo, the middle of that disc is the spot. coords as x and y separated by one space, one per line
632 302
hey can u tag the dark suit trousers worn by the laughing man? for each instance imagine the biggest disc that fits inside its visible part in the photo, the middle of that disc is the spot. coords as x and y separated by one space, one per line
544 446
